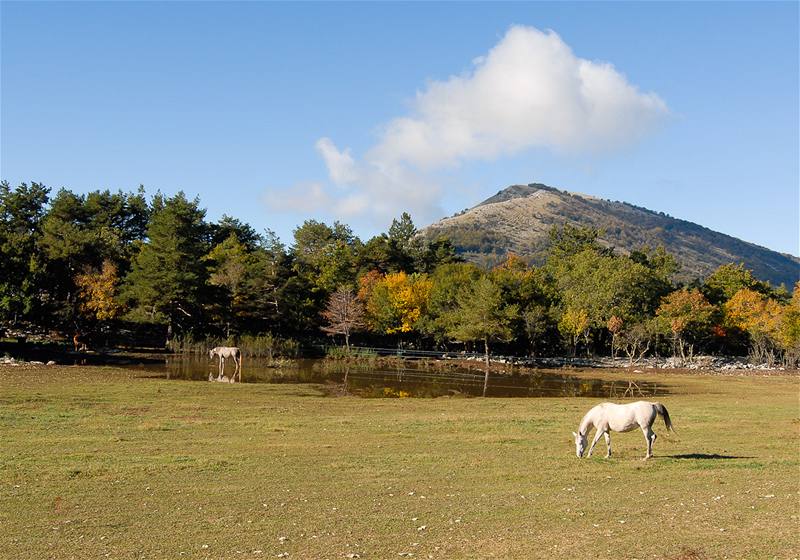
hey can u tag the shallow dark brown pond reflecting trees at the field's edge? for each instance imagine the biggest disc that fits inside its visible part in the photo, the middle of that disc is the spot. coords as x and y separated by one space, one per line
411 381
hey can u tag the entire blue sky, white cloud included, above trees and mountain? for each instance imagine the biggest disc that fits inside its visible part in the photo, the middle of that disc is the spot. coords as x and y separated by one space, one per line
274 113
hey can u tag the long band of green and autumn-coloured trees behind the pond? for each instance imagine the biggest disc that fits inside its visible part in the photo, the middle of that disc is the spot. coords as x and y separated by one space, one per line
89 262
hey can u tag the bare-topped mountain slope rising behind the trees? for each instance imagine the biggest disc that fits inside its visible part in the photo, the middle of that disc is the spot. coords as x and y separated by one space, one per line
518 219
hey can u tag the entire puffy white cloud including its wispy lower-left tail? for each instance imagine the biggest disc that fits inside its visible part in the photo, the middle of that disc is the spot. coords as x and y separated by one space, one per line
529 91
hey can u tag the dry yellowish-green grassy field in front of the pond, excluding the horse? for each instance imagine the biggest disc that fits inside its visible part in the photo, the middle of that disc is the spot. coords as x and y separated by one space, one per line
97 463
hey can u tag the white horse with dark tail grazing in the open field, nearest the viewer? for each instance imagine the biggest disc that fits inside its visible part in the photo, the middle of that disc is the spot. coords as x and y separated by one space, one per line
620 418
